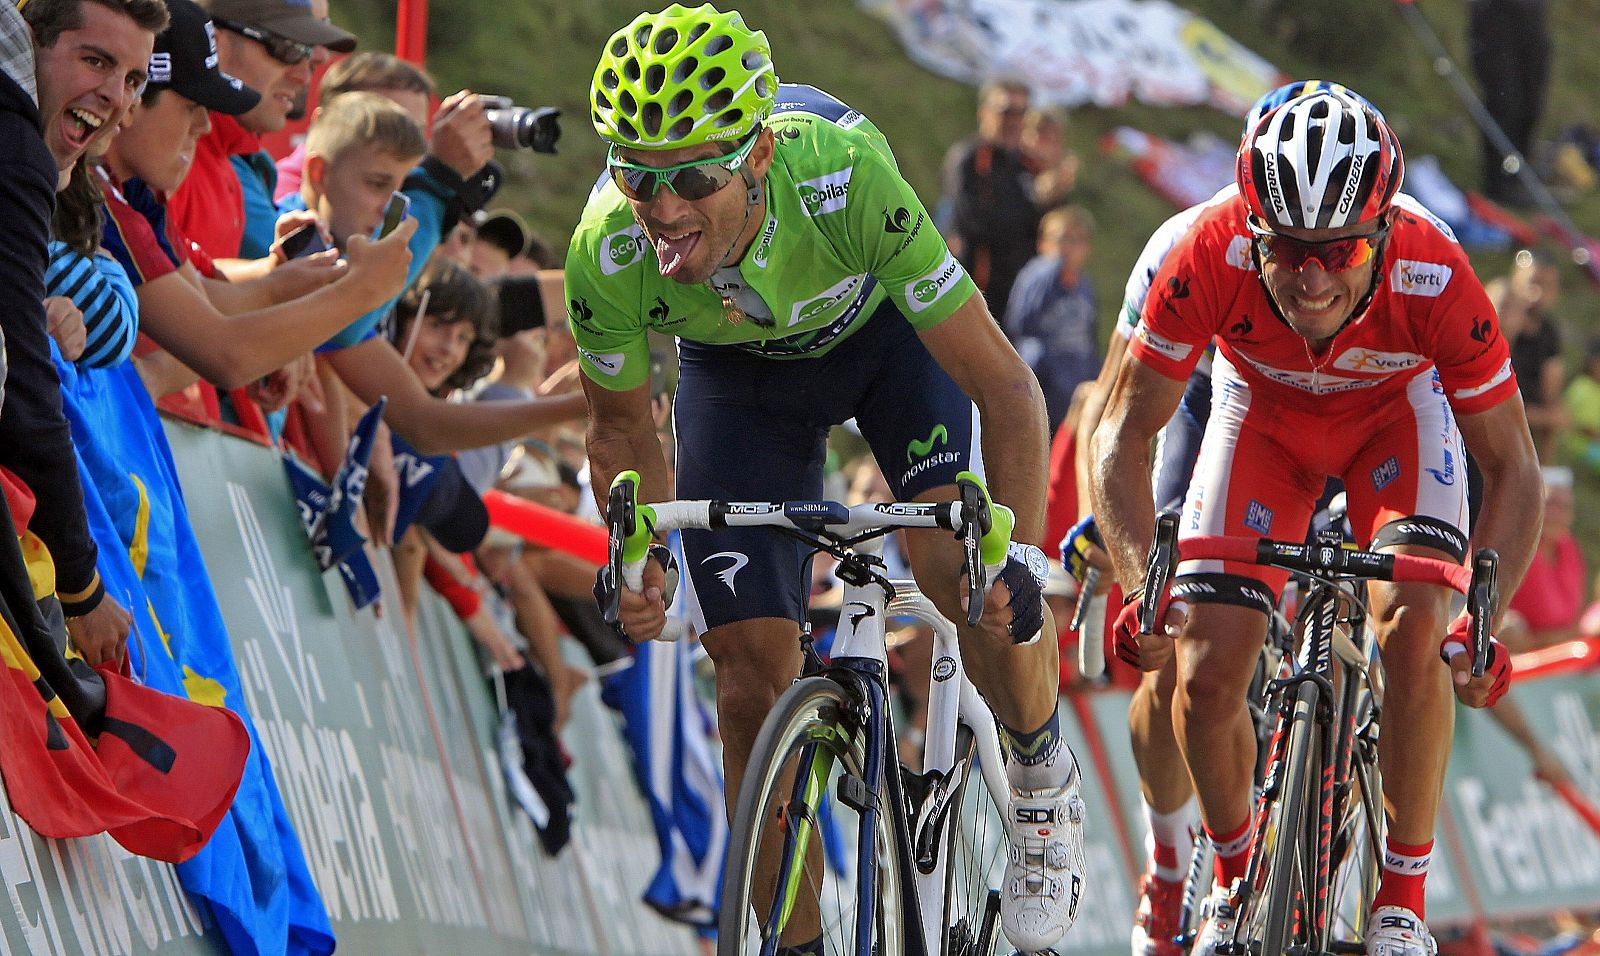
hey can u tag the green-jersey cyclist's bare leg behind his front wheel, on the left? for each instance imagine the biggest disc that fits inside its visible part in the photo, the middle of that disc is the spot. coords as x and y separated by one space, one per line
756 664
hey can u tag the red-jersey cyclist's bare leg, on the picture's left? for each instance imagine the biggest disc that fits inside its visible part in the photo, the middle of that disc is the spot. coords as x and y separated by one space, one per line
1217 658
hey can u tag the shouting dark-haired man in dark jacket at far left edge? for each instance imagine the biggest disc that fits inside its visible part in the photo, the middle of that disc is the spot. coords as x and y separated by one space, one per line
50 89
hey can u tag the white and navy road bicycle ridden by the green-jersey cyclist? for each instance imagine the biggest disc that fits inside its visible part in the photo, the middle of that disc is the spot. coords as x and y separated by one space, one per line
895 861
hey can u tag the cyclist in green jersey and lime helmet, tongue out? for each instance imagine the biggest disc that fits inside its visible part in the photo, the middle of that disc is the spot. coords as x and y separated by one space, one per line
767 228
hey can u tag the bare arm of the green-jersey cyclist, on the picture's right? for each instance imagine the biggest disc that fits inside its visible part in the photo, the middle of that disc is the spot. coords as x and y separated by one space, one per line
1010 405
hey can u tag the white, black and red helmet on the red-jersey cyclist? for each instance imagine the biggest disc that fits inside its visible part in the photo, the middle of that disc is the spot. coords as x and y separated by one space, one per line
1324 161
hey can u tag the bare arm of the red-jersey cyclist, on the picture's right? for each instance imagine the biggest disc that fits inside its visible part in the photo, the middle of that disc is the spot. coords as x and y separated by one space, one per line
1513 509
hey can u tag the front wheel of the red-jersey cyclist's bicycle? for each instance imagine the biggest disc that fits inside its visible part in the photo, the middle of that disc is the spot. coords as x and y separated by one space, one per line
1286 845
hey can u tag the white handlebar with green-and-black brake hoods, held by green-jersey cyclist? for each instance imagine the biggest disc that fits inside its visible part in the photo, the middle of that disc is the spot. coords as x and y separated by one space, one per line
983 527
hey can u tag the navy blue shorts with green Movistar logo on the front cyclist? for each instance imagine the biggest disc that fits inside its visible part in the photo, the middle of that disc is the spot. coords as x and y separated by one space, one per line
756 429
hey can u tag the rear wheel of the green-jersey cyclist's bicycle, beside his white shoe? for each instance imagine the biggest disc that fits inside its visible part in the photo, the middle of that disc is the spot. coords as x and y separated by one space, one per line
975 861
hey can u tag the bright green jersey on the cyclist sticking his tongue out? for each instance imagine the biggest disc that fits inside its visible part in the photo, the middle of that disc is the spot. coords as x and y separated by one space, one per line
844 233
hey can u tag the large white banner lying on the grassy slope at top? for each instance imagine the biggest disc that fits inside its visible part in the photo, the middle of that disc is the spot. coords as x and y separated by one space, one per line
1084 52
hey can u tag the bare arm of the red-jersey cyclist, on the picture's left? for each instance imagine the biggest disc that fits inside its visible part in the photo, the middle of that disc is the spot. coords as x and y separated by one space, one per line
1140 404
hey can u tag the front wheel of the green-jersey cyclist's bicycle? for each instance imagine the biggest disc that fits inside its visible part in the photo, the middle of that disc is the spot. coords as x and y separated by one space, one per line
793 848
